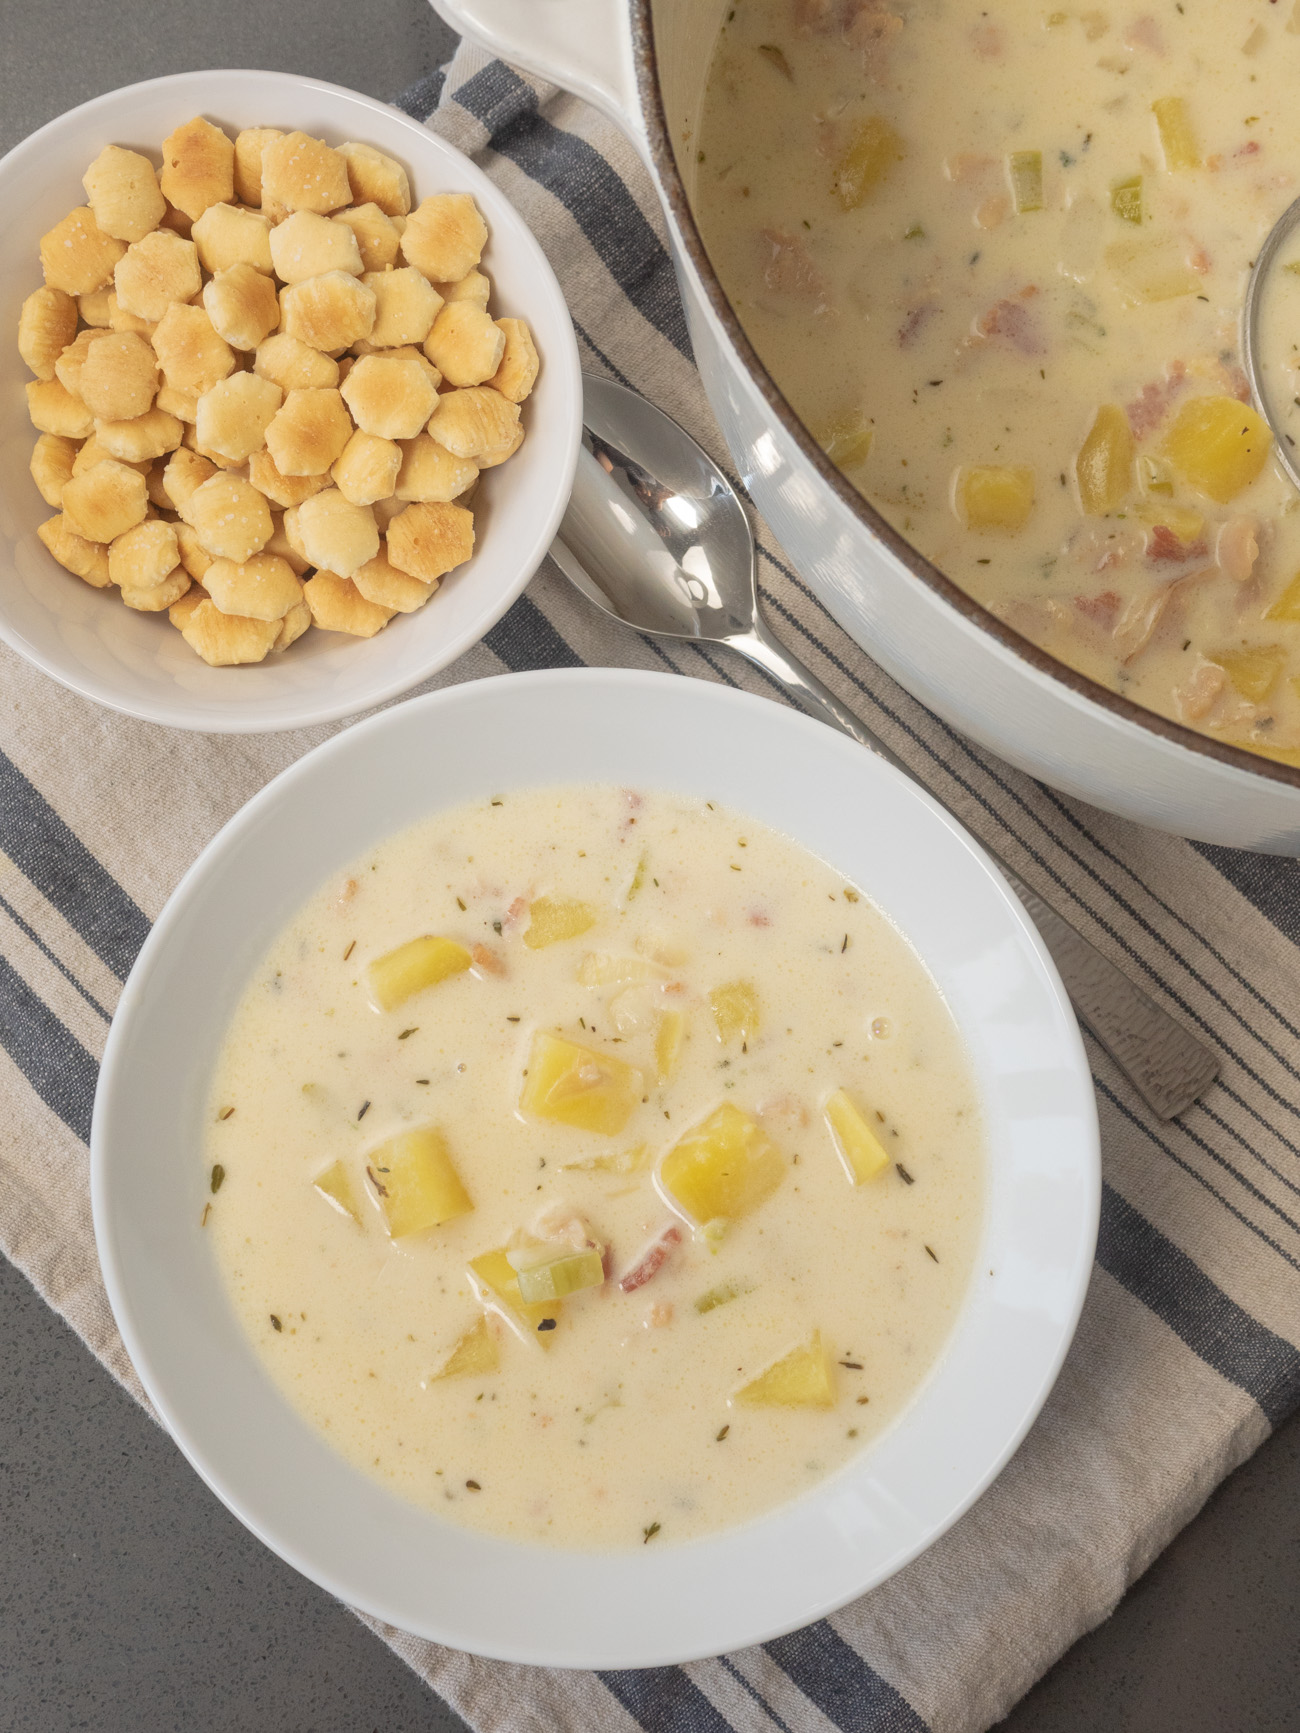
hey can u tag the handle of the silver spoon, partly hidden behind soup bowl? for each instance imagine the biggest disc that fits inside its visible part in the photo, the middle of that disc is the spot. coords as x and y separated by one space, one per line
1167 1067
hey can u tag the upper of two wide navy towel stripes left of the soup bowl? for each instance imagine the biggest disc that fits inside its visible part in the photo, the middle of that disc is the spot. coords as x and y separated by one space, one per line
67 873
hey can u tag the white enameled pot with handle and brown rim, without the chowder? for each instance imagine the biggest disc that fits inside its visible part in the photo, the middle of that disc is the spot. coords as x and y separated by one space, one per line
644 63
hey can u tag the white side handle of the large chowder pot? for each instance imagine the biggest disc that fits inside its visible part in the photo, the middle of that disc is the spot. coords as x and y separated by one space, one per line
583 46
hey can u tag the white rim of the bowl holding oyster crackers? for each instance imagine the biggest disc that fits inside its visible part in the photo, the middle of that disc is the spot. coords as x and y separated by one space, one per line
564 367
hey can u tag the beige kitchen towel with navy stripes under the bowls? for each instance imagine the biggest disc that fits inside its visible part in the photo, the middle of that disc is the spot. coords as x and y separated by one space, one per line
1186 1354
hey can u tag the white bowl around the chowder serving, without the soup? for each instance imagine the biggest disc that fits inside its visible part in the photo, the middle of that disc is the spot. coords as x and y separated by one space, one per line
523 1602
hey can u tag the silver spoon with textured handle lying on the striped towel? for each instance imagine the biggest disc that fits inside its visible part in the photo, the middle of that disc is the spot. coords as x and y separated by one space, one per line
658 538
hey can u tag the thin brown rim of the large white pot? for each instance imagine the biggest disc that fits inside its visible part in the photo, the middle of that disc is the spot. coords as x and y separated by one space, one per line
666 166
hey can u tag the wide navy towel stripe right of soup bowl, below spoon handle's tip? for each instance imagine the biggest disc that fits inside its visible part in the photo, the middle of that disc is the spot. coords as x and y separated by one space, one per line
1166 1280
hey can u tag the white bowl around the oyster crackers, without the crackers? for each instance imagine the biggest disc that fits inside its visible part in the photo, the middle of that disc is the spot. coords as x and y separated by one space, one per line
138 663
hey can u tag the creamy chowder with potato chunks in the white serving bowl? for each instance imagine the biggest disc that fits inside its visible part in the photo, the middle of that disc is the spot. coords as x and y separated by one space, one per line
595 1167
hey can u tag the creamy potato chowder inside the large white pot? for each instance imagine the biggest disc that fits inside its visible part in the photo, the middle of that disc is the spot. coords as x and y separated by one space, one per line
996 257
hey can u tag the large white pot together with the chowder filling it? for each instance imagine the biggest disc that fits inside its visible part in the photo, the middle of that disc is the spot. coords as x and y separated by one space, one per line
965 285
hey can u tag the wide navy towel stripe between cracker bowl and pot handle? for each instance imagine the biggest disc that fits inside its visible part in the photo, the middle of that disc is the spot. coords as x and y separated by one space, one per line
587 186
